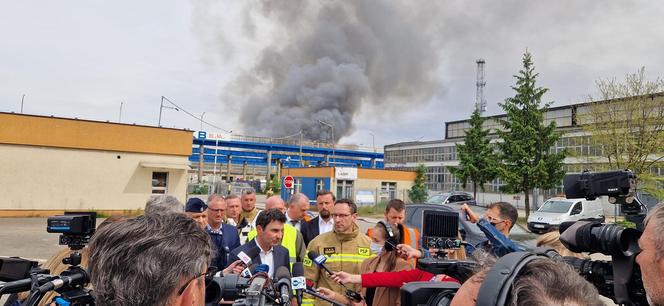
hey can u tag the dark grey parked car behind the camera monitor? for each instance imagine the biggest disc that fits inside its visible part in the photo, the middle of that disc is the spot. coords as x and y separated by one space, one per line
469 231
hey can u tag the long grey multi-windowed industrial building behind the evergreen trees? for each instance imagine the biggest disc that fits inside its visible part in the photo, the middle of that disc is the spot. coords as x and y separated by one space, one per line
439 155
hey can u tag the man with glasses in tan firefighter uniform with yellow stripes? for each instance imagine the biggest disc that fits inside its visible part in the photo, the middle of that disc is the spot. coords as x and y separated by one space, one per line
345 248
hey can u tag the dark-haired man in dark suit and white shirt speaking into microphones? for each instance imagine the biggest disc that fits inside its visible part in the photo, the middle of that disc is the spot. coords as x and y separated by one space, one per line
269 232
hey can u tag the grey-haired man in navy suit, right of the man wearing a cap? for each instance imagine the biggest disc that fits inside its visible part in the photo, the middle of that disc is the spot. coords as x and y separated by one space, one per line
224 236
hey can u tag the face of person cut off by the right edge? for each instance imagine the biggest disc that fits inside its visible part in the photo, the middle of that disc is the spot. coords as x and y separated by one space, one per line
651 258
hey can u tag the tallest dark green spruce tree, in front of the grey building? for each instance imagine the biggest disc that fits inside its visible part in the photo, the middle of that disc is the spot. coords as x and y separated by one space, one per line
526 159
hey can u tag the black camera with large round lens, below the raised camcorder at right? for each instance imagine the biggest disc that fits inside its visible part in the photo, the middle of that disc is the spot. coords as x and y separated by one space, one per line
618 279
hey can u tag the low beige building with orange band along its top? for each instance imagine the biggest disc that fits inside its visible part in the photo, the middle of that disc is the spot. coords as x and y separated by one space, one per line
52 164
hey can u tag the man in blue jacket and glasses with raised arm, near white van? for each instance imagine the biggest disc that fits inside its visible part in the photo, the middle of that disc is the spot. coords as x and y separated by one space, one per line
496 224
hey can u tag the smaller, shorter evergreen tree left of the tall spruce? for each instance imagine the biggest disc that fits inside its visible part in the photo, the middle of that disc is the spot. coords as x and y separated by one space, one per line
477 160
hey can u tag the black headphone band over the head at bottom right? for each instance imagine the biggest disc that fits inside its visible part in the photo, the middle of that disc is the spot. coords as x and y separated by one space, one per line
497 285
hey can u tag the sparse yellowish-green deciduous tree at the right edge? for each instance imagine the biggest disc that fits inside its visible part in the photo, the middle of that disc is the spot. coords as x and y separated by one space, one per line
626 124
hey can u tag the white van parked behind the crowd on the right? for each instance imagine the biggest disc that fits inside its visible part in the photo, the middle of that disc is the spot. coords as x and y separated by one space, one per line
558 210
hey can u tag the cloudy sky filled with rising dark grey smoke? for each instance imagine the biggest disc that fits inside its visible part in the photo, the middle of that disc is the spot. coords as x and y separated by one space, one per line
395 69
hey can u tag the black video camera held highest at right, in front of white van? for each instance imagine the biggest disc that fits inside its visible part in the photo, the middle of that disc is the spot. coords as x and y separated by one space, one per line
619 186
